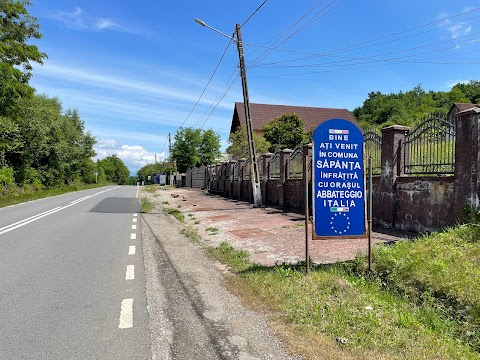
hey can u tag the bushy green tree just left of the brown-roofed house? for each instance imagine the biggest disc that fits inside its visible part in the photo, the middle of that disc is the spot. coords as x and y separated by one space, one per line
195 147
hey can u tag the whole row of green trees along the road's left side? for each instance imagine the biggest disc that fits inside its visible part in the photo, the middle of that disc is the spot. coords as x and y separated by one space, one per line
41 145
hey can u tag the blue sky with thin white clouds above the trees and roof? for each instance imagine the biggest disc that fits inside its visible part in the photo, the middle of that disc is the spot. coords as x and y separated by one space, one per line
135 70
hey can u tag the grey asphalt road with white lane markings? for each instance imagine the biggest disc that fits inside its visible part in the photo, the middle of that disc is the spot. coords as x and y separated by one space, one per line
72 283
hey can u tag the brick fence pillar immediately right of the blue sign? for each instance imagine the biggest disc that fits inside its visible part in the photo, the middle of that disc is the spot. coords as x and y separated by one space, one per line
393 161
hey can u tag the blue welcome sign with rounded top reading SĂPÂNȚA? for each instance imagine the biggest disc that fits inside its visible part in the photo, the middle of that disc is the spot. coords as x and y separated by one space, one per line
338 180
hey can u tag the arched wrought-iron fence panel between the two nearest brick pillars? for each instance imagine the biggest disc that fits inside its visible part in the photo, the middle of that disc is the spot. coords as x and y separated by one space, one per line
430 147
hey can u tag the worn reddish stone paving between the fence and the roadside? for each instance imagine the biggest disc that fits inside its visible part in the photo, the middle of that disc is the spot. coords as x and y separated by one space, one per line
270 235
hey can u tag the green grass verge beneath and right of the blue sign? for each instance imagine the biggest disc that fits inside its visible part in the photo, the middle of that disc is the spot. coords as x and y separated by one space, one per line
420 301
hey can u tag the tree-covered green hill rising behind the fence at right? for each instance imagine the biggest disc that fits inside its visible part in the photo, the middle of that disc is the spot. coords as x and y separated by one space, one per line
408 108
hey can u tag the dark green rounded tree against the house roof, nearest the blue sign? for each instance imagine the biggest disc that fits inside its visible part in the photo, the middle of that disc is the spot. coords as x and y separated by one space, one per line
285 132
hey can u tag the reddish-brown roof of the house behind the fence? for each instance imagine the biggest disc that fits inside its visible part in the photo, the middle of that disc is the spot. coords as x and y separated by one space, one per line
262 114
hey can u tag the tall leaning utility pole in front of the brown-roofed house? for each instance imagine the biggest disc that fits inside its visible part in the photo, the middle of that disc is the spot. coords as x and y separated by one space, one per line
254 178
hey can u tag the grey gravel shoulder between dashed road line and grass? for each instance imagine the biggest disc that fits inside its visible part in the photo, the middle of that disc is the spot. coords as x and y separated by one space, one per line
192 315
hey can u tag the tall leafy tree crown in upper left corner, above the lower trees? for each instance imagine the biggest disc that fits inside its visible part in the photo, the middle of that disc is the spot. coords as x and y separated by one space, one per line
17 28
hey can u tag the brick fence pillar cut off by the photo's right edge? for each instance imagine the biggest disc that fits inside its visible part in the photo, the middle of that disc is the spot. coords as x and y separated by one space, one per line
467 162
